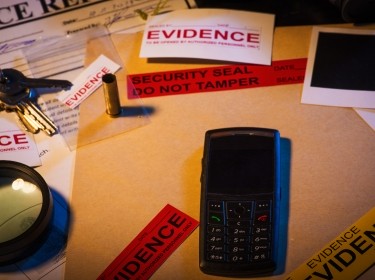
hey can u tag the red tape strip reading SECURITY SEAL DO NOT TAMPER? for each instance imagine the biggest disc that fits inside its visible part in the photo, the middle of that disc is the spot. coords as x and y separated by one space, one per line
231 77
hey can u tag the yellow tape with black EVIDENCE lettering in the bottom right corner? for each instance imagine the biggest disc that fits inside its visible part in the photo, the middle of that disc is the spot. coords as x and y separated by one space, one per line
345 257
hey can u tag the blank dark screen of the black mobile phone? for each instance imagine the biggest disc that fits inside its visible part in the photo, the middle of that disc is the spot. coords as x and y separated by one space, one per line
241 164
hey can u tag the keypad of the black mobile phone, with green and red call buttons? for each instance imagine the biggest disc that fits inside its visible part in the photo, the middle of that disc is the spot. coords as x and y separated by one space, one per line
239 231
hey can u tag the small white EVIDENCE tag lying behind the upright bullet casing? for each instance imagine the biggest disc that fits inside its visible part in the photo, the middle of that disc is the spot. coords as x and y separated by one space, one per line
88 81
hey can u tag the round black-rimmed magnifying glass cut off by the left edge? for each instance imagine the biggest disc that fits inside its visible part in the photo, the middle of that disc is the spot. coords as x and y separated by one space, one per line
25 210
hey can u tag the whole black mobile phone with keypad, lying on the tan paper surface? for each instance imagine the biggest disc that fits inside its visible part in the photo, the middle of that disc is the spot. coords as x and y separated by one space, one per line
240 197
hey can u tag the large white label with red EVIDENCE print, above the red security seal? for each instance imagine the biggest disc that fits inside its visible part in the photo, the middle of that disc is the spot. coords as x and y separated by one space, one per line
215 34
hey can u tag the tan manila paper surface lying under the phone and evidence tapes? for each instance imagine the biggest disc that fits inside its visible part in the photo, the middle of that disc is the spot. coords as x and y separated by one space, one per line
122 182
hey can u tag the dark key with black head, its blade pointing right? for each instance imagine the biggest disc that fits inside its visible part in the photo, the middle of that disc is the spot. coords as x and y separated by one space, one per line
14 86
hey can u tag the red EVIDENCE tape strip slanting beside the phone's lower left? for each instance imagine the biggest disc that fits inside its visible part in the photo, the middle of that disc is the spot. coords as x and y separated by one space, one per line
152 246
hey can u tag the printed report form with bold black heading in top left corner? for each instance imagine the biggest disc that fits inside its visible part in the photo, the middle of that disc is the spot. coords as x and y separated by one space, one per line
45 19
